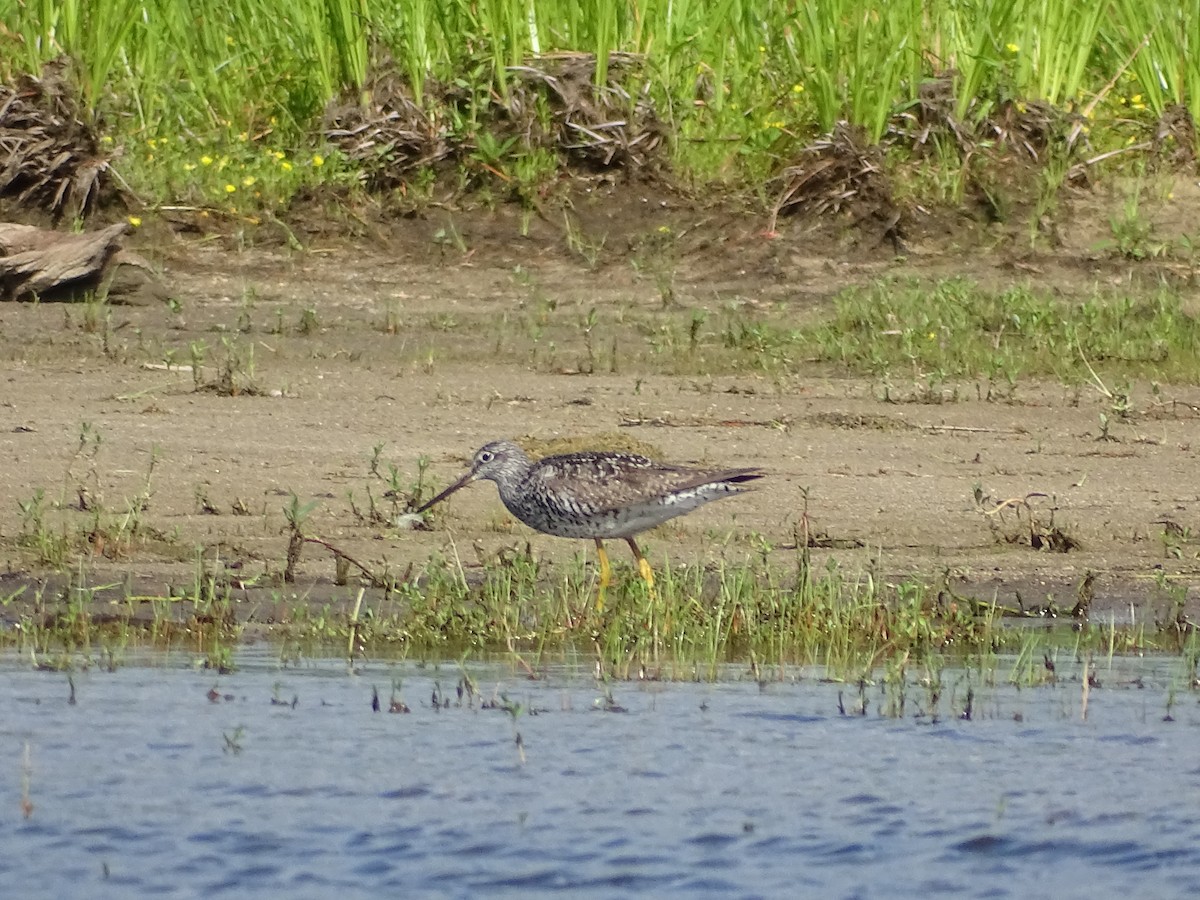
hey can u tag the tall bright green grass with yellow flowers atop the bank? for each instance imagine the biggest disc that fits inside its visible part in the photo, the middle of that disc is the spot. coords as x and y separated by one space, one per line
740 86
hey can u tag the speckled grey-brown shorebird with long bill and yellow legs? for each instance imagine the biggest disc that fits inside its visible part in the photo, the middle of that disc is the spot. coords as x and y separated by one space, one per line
597 495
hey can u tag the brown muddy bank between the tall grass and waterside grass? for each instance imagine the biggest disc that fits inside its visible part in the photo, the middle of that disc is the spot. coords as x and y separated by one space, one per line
275 373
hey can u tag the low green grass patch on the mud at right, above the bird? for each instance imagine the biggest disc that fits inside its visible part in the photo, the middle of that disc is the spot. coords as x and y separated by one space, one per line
956 329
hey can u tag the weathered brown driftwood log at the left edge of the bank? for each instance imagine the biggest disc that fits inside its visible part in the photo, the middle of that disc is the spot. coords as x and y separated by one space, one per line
51 266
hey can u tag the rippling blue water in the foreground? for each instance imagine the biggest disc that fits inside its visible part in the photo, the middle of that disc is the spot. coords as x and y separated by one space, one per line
148 787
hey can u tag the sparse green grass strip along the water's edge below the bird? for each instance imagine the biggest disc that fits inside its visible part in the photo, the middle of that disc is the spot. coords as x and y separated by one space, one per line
697 622
